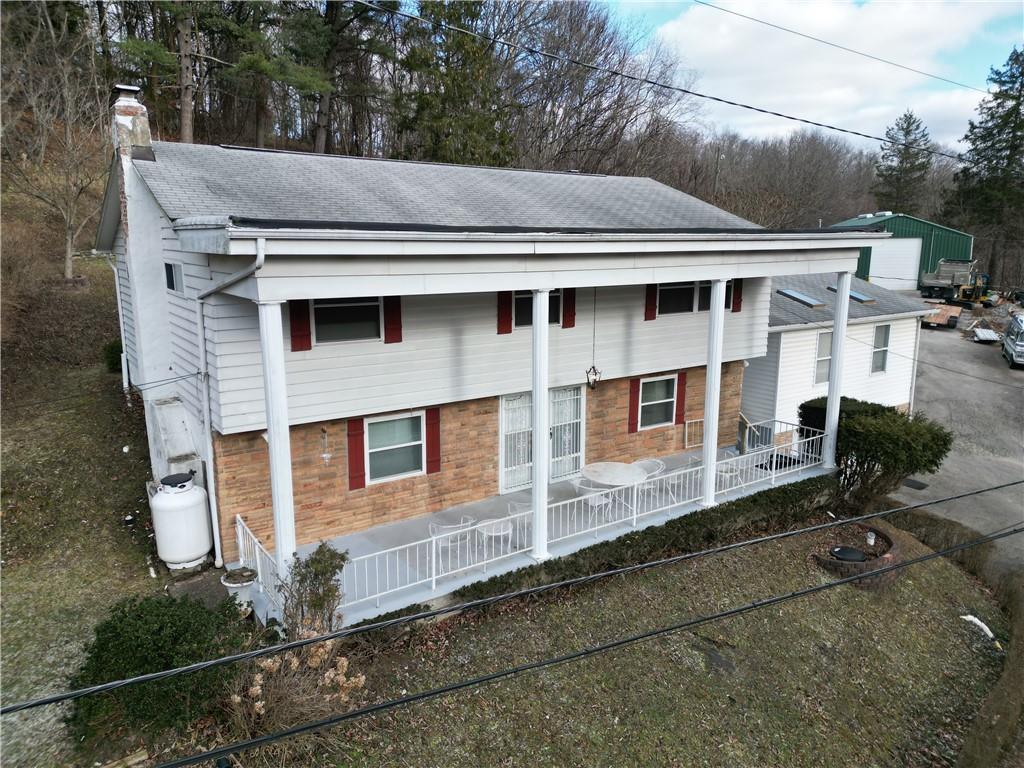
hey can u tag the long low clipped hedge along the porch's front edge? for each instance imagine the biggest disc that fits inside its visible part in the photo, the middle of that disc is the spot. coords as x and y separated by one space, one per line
780 508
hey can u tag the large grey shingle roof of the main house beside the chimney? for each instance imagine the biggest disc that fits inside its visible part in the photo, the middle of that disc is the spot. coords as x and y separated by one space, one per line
208 181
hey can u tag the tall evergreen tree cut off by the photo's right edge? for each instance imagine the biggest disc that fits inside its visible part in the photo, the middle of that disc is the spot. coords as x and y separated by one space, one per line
990 194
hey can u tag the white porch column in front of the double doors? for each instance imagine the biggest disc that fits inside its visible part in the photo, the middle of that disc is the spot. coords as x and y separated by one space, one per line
542 428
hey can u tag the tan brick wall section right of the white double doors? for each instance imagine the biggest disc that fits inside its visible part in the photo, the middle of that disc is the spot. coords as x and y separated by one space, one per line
609 438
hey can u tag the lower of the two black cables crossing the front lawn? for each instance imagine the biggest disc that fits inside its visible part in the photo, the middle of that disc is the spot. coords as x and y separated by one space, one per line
576 656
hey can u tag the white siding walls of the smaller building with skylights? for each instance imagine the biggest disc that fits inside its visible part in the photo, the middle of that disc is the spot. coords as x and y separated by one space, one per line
797 362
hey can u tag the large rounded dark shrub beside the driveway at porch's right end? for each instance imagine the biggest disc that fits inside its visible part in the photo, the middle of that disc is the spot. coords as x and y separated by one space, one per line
875 453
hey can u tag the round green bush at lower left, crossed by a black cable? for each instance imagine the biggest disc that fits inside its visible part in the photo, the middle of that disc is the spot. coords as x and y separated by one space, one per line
150 635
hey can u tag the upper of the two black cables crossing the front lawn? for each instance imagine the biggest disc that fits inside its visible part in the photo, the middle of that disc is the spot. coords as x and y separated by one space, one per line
475 605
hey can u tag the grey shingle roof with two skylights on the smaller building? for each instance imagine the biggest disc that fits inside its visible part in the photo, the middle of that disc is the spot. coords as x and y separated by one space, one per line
786 313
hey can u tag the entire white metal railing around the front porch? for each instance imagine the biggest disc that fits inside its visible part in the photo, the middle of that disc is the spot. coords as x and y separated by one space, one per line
776 450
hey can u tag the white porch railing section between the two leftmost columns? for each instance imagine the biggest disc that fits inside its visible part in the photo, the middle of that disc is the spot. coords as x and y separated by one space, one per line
379 574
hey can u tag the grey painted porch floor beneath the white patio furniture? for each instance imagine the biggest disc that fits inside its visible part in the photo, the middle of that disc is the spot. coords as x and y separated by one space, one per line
403 533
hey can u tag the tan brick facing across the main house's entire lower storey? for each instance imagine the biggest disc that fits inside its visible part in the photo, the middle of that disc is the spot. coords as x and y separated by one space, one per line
325 507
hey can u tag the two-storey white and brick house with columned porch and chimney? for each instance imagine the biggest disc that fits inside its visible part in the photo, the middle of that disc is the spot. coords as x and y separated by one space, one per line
349 350
